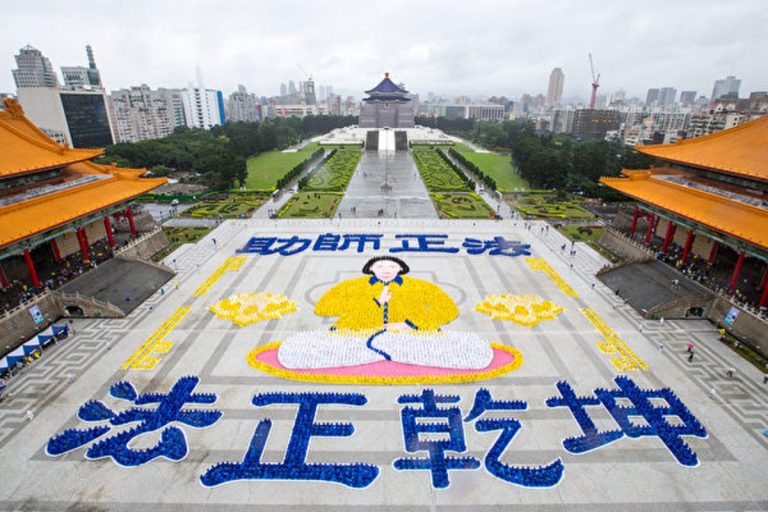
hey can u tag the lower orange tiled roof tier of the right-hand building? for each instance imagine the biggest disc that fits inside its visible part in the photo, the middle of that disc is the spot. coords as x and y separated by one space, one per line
739 220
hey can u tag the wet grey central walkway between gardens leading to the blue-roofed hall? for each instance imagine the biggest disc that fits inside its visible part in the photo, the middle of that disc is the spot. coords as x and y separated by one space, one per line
389 182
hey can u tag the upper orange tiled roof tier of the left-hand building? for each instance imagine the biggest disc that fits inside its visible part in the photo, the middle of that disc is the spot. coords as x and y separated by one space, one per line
25 148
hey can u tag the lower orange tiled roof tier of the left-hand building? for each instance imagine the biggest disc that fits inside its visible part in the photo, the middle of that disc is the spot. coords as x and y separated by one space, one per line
25 219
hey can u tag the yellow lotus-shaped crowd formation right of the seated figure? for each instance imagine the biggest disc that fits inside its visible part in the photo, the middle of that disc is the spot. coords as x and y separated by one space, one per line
528 310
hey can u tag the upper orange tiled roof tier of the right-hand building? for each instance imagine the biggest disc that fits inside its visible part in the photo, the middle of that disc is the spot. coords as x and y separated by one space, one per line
742 150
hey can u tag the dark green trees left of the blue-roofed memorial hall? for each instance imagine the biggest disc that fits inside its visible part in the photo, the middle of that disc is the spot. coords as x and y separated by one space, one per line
219 155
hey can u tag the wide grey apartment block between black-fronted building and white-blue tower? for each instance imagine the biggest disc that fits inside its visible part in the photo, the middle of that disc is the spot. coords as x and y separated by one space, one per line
139 113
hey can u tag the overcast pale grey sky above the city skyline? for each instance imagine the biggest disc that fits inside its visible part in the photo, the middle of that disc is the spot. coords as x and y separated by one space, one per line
479 47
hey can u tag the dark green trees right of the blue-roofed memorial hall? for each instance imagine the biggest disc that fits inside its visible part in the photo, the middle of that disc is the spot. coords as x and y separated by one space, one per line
546 160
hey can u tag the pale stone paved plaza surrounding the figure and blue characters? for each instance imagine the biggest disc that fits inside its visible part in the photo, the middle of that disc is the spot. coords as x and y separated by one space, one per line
173 334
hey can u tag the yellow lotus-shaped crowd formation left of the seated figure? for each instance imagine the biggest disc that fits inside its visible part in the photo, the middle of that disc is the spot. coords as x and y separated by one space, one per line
249 308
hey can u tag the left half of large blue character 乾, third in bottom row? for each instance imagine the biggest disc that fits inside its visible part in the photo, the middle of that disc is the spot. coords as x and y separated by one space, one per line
448 421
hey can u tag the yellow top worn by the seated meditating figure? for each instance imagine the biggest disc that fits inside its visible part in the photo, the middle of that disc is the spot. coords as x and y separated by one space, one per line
419 303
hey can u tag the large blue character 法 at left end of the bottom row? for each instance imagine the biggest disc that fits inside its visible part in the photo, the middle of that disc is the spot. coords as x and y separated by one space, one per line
168 408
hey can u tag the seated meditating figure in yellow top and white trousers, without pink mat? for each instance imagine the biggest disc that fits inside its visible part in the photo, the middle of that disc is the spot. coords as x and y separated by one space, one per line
386 315
